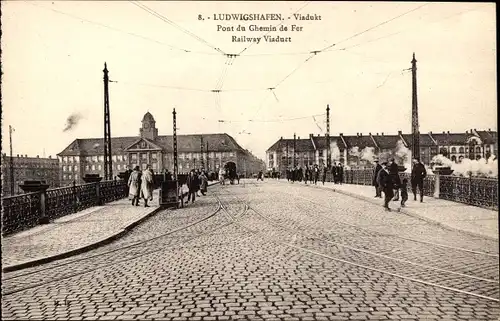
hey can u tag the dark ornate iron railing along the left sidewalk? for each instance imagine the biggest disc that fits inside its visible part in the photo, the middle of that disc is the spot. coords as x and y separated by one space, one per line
24 211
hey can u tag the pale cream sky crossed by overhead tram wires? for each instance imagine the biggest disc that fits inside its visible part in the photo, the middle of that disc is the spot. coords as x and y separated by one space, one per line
161 56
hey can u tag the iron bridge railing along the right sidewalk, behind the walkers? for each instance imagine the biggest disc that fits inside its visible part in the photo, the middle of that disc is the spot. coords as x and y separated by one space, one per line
476 191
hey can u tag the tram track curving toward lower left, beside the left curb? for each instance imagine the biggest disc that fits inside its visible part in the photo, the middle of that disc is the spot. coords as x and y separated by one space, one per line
139 246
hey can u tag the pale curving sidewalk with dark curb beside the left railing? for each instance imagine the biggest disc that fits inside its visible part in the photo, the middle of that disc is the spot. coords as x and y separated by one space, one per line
76 233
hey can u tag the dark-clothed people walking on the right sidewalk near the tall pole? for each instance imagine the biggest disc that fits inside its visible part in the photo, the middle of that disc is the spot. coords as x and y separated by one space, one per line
386 180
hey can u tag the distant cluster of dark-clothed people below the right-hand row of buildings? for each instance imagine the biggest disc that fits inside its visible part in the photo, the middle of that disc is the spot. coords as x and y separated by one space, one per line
312 174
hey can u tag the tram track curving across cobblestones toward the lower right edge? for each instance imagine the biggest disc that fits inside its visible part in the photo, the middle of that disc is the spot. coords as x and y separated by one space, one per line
469 280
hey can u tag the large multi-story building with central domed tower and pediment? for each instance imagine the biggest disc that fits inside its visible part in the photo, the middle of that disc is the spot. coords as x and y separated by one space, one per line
86 156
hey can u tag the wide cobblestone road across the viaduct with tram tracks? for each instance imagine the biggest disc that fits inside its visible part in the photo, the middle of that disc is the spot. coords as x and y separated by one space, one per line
268 251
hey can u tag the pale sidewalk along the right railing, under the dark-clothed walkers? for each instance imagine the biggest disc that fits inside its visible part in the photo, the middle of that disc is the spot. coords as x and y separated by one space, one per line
469 219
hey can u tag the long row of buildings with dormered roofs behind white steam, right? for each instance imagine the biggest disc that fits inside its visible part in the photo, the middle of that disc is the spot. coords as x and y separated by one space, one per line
349 150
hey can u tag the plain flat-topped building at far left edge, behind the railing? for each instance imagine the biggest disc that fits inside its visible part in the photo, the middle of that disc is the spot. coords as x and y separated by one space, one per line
28 169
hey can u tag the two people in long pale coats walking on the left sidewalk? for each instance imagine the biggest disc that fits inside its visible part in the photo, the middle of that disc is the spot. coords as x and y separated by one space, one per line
140 185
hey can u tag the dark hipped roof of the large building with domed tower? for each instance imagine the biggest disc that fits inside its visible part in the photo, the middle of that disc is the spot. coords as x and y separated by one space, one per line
185 144
